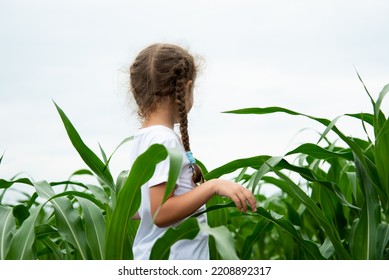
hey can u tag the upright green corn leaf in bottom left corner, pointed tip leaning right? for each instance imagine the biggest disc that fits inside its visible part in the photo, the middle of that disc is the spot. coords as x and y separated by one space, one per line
22 243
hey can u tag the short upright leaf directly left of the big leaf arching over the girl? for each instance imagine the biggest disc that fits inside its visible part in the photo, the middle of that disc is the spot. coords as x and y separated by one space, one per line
94 227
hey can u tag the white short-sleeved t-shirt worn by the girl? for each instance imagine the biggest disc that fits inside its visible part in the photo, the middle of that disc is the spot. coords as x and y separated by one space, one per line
148 232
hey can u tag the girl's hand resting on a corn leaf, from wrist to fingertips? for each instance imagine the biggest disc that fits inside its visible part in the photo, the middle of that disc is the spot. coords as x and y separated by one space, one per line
237 193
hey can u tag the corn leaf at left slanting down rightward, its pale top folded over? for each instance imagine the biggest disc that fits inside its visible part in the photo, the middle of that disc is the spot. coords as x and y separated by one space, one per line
68 220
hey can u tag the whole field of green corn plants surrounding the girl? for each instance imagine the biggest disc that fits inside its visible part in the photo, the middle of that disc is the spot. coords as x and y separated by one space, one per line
337 209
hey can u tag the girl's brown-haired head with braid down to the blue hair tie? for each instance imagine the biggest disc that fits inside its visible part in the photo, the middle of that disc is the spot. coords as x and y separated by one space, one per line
161 73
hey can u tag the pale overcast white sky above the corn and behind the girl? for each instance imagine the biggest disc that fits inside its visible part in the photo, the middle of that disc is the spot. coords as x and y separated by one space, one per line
296 54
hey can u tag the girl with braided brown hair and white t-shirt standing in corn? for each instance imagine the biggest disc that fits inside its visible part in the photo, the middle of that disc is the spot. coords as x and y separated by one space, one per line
161 80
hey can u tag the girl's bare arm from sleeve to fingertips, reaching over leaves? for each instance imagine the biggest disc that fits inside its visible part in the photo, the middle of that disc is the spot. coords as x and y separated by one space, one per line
177 208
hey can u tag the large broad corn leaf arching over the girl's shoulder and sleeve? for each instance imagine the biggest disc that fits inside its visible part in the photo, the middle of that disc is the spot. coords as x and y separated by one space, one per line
129 197
